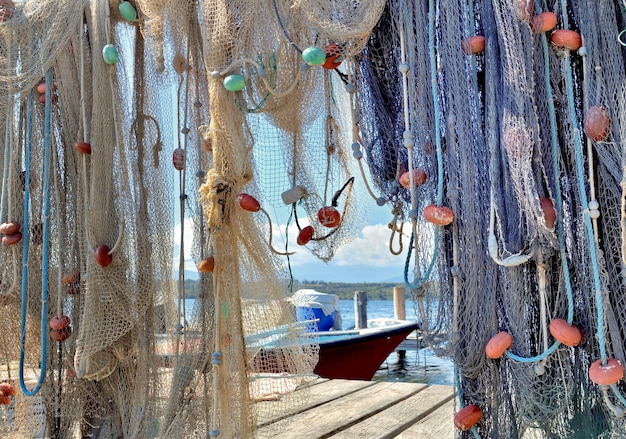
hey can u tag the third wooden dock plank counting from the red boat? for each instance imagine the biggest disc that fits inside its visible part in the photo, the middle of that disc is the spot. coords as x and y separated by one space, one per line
388 423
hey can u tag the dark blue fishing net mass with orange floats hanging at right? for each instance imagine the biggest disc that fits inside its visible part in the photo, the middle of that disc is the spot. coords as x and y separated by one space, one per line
519 125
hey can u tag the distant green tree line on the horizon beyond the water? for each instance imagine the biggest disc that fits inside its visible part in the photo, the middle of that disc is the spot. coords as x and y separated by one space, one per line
375 291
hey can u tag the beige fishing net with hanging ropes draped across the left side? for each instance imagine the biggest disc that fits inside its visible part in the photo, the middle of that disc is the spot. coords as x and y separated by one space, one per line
118 131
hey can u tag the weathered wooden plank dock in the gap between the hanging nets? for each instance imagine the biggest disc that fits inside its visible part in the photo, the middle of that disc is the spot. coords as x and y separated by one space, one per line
343 409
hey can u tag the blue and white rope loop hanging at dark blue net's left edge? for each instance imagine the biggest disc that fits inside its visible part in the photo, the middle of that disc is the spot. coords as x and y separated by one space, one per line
408 140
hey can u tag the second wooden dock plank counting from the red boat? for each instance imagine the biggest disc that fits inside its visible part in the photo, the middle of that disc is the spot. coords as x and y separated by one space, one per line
336 415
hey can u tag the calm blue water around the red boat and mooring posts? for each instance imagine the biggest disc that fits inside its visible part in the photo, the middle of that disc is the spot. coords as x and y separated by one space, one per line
418 366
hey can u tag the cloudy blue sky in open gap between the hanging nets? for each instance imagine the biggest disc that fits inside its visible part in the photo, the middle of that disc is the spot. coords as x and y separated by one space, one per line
366 259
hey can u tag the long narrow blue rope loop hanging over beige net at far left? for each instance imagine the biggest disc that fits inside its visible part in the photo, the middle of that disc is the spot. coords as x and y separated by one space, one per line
25 239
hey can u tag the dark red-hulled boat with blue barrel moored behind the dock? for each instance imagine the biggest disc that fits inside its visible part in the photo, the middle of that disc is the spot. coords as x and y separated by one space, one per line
354 354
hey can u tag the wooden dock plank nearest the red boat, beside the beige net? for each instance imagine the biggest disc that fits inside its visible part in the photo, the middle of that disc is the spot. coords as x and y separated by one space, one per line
307 397
